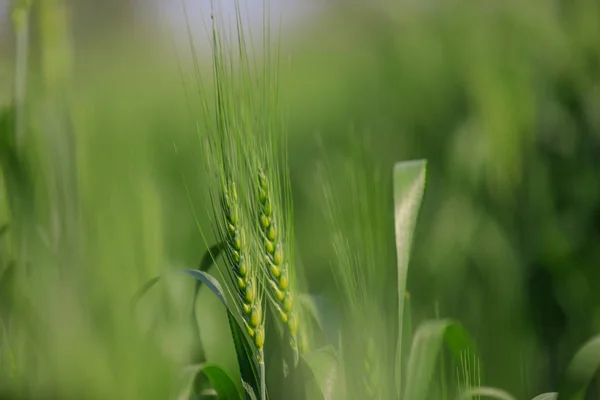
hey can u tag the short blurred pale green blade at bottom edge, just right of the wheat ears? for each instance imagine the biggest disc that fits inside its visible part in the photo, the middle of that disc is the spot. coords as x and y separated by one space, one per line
323 367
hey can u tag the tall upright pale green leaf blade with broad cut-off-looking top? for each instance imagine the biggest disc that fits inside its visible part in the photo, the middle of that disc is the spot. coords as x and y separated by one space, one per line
409 184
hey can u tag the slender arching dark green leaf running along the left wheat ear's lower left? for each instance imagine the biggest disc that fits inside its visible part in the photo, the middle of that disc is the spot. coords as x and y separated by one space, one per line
243 349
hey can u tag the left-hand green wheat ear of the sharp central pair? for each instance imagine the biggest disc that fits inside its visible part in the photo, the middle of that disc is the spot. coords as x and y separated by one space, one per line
242 272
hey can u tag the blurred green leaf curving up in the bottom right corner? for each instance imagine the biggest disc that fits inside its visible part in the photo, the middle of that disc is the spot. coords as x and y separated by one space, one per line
582 369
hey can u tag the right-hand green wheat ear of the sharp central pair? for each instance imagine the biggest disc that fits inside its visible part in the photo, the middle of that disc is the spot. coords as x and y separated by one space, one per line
277 268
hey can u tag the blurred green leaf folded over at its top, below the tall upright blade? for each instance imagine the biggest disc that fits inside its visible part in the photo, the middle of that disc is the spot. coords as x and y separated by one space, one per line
426 346
